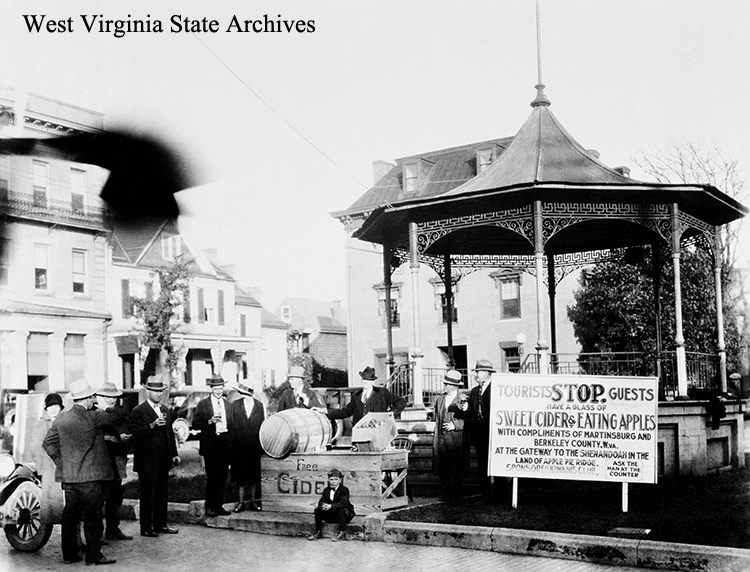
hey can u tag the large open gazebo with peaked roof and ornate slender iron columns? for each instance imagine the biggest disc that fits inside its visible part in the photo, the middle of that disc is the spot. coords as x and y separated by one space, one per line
548 206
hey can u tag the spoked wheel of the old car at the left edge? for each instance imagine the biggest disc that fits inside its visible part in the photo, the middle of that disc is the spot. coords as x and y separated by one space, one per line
29 533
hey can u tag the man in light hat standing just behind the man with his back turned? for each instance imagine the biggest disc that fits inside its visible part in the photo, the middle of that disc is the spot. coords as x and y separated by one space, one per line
117 448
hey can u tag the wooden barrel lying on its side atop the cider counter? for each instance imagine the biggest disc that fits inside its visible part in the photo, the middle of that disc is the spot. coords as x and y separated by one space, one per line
295 431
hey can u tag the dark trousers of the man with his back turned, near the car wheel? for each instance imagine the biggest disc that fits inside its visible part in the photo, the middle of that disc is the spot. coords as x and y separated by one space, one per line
83 503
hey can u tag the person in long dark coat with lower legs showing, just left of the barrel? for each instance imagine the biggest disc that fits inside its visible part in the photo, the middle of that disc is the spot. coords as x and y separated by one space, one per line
248 415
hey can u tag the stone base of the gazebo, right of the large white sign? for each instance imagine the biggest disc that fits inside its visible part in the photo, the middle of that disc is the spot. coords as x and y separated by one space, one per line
694 441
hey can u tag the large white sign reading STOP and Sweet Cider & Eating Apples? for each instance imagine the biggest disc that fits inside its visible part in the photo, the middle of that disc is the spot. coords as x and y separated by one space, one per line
578 427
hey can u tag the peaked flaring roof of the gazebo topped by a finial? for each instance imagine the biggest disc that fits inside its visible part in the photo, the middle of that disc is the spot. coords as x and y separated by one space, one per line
544 163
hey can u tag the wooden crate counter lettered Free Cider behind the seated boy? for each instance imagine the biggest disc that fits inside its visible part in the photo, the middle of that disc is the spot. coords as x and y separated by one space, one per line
376 480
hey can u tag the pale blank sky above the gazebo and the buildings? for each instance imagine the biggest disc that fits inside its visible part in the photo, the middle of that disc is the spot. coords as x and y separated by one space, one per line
281 129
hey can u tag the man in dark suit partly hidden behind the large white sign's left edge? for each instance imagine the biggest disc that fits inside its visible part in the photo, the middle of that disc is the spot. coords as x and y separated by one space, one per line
475 412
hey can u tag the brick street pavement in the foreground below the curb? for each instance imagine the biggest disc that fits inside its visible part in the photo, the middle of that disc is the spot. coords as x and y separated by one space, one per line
197 547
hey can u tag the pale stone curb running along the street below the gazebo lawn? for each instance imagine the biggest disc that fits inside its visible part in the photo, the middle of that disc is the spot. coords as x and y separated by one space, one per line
374 527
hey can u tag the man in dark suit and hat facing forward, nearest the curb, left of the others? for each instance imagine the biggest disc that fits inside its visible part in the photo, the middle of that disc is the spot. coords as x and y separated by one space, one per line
155 454
